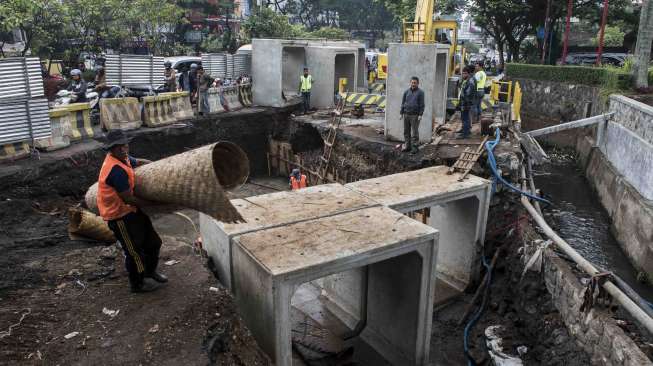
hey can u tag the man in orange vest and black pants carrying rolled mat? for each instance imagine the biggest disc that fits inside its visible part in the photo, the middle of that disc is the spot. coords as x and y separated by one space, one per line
121 209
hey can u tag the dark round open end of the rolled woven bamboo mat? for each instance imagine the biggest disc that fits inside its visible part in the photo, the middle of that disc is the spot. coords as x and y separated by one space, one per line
230 164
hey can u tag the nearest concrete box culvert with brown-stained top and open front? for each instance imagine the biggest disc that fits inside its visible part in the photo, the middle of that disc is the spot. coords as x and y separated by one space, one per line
398 252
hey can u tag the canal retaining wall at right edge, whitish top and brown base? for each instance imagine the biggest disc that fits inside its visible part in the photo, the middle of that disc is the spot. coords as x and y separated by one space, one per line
621 172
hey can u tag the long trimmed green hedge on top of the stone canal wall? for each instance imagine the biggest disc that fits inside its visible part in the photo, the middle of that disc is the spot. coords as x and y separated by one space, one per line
604 77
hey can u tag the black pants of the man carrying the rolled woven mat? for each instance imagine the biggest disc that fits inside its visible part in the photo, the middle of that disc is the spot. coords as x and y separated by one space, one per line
140 242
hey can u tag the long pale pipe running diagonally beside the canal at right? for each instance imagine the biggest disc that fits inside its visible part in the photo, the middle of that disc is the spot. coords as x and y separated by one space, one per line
635 311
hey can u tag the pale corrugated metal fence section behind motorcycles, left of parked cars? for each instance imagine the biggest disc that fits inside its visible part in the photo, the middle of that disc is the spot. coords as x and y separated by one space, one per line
129 70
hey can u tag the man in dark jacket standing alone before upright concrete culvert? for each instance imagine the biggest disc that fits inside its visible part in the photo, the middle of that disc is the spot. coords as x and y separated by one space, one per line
412 108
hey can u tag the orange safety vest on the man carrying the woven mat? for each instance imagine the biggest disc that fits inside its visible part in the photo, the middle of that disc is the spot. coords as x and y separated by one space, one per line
110 205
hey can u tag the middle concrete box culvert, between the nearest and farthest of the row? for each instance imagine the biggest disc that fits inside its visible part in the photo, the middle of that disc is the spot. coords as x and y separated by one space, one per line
271 210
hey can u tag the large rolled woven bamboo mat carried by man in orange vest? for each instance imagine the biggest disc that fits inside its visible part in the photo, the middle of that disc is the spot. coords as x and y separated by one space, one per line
196 179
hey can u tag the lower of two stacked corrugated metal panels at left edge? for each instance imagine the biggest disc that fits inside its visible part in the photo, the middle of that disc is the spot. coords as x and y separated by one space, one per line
23 120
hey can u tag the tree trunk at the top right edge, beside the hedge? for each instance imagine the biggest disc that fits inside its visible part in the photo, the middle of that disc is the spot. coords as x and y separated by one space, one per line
643 46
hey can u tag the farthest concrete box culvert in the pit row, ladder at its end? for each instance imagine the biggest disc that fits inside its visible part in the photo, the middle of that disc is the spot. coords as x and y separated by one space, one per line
457 209
